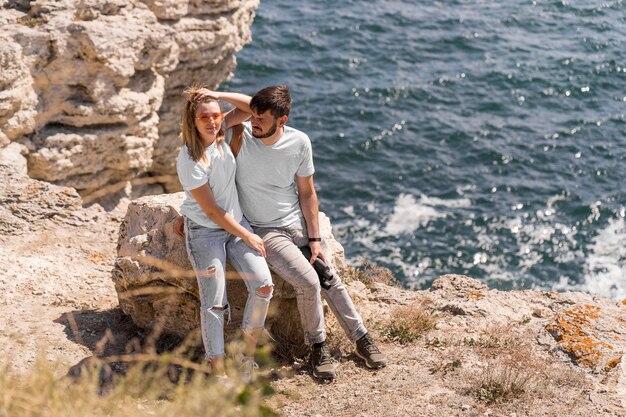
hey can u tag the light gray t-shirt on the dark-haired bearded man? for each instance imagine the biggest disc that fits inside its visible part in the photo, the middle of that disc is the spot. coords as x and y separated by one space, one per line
266 177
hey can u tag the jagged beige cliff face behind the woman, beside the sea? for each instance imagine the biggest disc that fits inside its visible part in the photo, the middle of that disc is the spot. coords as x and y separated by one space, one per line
93 88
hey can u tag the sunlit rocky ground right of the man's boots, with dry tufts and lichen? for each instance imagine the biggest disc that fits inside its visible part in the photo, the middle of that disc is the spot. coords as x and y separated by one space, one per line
491 352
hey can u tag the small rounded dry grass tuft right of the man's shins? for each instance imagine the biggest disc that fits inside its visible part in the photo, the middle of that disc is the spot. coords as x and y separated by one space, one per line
409 323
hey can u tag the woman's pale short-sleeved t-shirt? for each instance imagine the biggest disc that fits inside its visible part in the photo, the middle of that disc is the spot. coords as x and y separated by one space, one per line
219 173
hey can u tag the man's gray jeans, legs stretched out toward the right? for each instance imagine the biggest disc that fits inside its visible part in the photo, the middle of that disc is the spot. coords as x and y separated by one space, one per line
285 259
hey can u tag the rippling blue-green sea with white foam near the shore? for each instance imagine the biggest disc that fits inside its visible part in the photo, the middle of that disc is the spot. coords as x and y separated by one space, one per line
484 138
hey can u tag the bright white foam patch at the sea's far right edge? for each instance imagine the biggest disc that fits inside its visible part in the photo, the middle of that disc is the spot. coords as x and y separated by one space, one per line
605 267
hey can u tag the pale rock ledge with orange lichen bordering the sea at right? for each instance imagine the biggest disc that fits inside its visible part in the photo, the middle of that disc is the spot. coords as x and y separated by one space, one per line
588 329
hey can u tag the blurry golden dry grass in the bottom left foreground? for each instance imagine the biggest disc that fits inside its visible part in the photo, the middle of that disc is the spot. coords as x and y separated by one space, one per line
158 385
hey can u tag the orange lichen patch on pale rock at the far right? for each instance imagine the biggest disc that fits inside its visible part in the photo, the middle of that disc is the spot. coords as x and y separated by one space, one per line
575 334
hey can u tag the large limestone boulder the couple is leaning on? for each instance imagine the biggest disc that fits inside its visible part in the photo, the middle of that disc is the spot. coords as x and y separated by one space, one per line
157 287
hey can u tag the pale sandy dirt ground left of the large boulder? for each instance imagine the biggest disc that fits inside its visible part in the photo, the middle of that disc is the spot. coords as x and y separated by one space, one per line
57 295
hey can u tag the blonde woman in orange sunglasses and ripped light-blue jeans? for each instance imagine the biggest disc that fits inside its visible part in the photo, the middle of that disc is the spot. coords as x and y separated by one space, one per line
215 228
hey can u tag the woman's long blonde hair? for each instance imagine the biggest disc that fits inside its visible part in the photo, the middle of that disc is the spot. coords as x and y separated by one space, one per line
189 133
